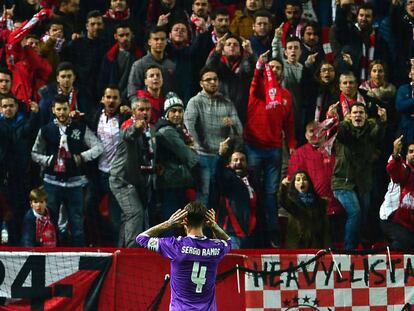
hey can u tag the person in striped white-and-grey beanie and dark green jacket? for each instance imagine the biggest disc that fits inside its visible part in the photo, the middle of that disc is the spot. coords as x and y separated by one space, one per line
175 157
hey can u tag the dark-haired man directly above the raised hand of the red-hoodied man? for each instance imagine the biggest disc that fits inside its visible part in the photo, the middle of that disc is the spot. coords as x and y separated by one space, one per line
261 39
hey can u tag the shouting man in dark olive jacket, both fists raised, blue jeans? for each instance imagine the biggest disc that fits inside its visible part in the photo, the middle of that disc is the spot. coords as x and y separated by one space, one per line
352 179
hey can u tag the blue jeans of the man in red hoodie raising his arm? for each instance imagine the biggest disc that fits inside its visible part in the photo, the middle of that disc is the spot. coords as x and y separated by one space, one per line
264 167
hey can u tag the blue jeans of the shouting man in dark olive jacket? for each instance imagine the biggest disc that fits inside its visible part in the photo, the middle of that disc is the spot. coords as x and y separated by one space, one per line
350 202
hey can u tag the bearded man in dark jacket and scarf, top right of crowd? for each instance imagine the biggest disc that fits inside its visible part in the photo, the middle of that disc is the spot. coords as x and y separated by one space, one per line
360 42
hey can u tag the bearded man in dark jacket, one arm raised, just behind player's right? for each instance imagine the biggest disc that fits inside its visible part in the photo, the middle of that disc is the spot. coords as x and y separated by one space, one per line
237 214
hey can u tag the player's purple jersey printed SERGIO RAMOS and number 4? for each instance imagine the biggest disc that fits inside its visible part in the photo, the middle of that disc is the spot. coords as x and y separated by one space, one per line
194 262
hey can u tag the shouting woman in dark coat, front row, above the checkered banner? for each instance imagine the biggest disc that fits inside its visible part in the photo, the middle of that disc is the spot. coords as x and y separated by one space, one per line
307 221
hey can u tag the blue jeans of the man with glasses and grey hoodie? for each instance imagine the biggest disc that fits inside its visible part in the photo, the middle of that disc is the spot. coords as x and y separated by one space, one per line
207 188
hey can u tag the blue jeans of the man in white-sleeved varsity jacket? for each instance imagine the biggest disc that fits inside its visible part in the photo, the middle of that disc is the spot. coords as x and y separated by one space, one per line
72 198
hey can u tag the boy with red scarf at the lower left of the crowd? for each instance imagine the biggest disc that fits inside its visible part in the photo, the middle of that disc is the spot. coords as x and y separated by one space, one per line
38 228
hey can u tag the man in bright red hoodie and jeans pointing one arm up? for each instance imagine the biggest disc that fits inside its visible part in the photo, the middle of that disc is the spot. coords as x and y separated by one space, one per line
269 115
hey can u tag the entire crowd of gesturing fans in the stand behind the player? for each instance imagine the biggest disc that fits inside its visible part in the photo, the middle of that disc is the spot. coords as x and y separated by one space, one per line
293 119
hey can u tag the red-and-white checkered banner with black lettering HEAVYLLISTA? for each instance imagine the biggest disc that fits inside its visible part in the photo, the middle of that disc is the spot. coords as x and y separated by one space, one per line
338 282
